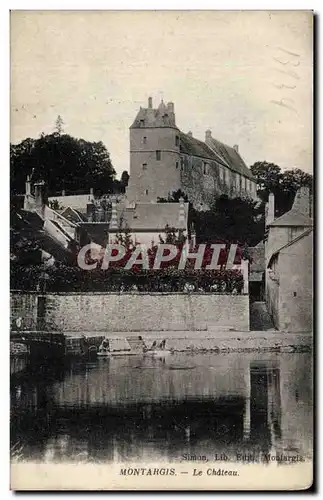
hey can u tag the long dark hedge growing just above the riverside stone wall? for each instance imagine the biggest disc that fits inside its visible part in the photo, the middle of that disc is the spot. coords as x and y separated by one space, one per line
67 279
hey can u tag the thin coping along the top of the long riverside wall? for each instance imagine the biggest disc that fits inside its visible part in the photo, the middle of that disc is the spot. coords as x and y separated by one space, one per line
41 294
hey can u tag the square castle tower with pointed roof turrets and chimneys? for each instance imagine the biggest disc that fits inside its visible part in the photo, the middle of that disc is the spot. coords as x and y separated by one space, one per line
154 154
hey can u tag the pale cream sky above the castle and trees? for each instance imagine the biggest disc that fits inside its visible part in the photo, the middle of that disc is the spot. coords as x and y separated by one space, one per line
247 76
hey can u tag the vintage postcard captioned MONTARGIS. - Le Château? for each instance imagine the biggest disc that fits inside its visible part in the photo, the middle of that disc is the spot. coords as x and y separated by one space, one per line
161 249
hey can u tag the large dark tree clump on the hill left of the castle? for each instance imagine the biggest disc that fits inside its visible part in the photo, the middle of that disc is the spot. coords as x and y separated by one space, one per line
63 162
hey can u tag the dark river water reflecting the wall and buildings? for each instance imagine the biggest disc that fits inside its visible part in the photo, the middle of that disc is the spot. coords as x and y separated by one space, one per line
138 409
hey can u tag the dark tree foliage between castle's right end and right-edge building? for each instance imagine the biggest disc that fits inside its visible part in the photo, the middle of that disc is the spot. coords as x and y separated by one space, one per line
283 184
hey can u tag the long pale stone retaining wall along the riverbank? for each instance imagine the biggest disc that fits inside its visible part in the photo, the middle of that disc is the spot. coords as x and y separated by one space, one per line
111 312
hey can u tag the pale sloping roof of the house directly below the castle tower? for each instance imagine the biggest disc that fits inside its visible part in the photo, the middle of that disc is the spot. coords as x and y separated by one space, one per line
152 216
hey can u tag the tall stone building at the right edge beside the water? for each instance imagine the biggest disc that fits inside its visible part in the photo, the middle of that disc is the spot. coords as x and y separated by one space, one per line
289 266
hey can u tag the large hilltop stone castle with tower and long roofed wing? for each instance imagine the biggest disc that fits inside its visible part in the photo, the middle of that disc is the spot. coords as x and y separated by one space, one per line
163 159
